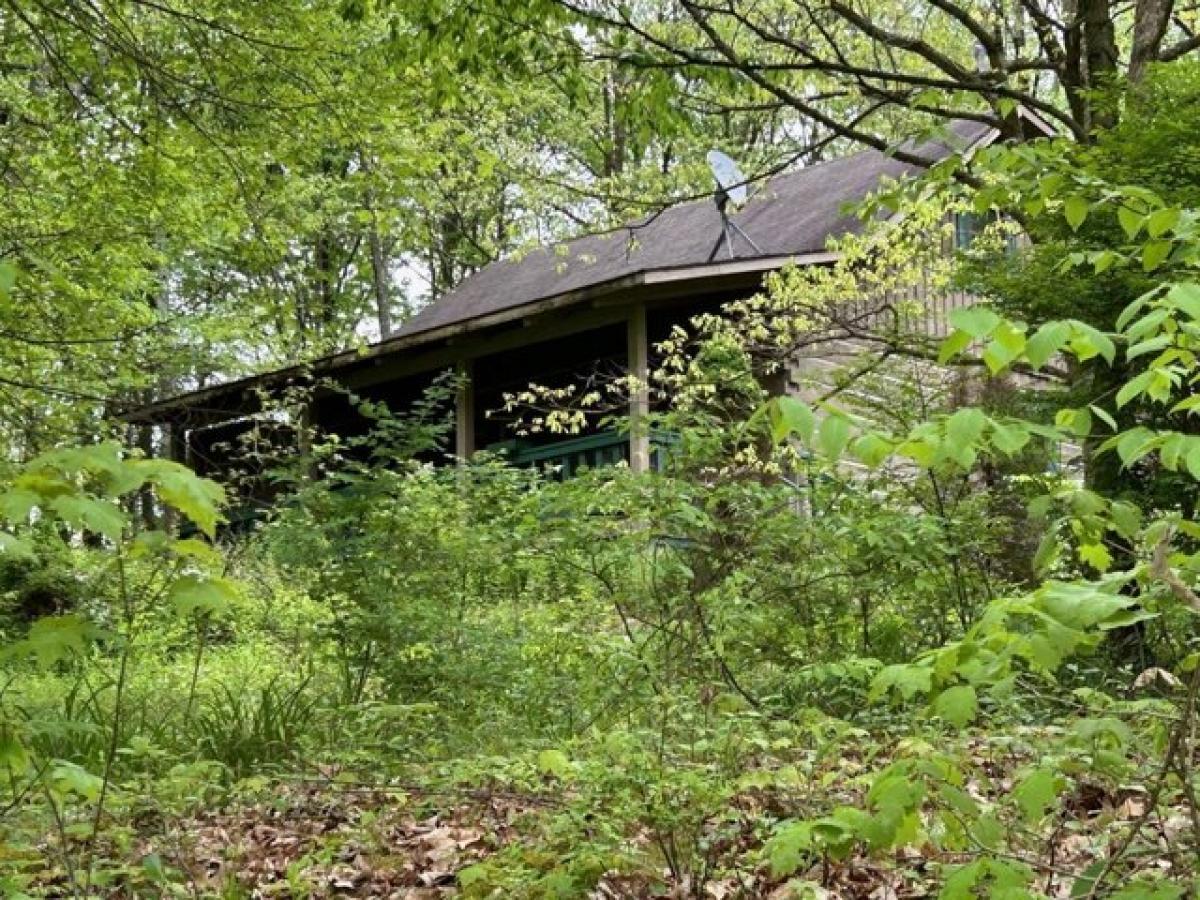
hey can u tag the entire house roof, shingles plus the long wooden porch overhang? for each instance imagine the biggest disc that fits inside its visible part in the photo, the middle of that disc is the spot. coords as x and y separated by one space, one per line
671 253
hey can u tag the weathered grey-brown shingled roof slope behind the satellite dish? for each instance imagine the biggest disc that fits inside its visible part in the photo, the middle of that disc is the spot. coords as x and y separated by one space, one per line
791 215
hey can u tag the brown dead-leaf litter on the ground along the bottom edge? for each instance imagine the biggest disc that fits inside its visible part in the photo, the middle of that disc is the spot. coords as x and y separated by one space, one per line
328 838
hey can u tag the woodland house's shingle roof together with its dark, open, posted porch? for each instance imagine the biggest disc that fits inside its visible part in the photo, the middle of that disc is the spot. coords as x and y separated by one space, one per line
557 315
